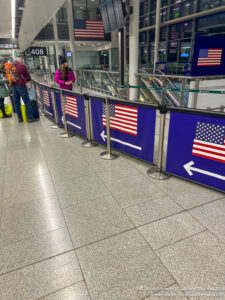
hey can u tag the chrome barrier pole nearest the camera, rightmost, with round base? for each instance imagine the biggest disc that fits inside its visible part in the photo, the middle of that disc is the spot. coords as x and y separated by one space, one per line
156 172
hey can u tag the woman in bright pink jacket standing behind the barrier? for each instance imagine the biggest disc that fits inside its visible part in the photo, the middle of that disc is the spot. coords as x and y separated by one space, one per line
64 76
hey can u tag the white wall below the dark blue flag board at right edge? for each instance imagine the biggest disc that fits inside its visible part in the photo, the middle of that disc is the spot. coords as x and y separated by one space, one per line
208 100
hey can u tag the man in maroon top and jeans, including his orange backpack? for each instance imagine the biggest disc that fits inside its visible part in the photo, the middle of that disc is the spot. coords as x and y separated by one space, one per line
18 76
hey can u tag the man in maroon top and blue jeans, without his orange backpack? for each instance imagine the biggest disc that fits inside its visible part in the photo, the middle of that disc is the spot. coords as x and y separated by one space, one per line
20 90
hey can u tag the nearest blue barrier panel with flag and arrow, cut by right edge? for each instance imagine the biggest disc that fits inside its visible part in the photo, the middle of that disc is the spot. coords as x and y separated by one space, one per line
196 148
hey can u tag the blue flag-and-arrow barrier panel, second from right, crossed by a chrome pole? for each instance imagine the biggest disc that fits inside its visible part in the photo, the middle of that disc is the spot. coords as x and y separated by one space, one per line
132 127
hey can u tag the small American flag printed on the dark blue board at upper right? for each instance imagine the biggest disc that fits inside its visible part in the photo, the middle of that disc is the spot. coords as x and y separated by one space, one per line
209 57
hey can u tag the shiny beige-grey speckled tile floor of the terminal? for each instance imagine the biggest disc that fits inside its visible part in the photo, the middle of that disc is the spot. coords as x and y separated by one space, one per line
74 226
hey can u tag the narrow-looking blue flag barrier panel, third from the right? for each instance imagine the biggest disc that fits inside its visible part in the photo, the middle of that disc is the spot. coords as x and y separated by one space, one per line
75 113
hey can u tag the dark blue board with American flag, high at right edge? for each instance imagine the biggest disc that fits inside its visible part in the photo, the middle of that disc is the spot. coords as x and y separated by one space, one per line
209 56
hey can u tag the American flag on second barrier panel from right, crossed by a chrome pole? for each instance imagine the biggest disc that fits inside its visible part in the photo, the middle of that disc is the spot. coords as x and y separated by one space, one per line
122 118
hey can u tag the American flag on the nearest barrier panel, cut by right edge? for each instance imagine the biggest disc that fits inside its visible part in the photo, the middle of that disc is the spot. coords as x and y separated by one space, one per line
209 141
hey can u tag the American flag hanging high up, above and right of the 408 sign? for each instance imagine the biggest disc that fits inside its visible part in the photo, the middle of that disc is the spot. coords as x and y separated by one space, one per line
89 29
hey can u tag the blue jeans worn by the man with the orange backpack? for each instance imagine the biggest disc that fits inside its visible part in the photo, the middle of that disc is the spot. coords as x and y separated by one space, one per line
21 91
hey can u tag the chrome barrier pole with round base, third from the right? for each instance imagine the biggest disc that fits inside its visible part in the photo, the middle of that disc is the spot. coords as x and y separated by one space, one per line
89 143
